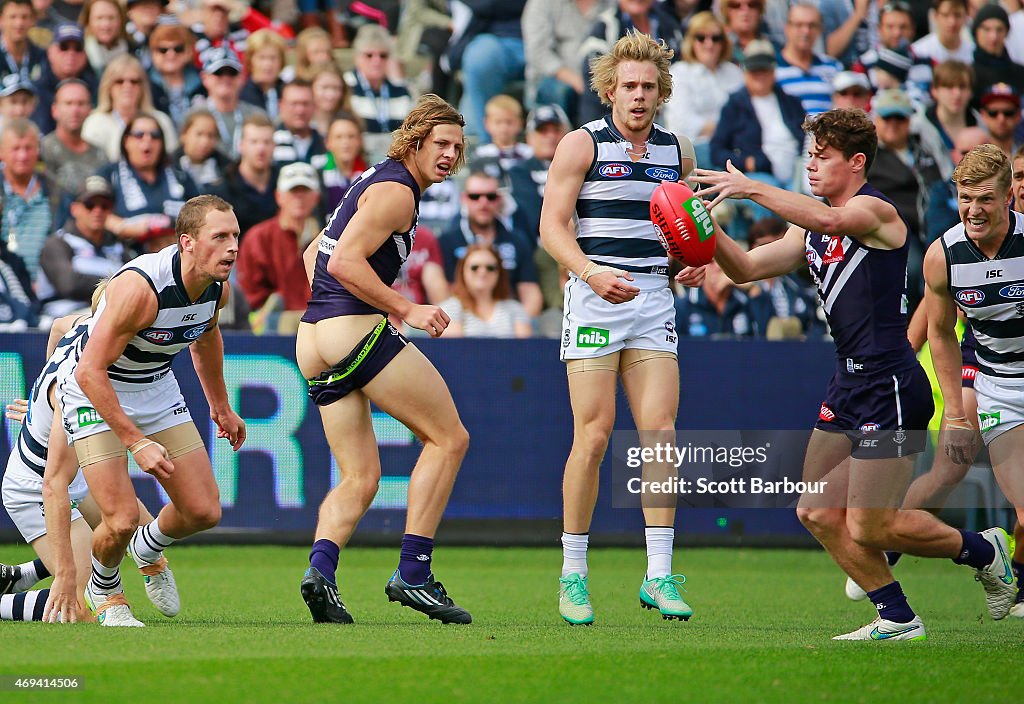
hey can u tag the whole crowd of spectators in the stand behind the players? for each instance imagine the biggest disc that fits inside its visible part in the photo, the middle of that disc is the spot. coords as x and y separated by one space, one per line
114 113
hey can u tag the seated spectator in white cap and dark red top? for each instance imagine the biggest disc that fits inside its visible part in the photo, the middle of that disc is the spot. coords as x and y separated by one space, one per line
272 274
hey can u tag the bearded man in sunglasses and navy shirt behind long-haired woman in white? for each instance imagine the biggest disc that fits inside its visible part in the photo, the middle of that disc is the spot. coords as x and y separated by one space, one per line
480 224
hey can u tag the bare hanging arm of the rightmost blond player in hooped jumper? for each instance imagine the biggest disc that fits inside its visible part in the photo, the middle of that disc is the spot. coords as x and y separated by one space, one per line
961 437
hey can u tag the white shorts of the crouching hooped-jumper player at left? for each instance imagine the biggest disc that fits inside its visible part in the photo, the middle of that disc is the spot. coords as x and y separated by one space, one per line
153 409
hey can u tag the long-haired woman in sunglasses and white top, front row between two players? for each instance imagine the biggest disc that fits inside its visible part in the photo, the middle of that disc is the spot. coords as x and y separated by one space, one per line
482 305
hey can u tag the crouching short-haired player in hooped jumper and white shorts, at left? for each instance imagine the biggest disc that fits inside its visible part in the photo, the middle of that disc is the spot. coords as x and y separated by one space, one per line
121 397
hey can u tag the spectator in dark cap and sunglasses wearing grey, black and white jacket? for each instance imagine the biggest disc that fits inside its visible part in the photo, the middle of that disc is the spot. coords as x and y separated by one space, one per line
81 253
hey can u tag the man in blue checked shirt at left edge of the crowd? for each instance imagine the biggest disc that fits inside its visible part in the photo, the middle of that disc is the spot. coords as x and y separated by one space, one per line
28 201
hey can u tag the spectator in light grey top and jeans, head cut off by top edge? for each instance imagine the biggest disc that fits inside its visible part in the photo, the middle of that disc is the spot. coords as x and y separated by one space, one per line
552 34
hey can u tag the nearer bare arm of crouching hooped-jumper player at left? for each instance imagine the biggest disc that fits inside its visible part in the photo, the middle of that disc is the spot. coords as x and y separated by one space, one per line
132 306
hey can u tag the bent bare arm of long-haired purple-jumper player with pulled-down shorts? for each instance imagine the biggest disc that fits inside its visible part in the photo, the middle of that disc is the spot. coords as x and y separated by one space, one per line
385 208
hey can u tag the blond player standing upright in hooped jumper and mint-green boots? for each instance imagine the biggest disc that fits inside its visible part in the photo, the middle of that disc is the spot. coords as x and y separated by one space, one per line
620 313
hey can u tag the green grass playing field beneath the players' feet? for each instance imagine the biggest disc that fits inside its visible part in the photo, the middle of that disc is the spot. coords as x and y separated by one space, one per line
761 633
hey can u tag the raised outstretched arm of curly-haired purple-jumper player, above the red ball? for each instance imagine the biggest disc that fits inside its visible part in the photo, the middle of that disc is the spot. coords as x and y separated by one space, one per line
870 221
